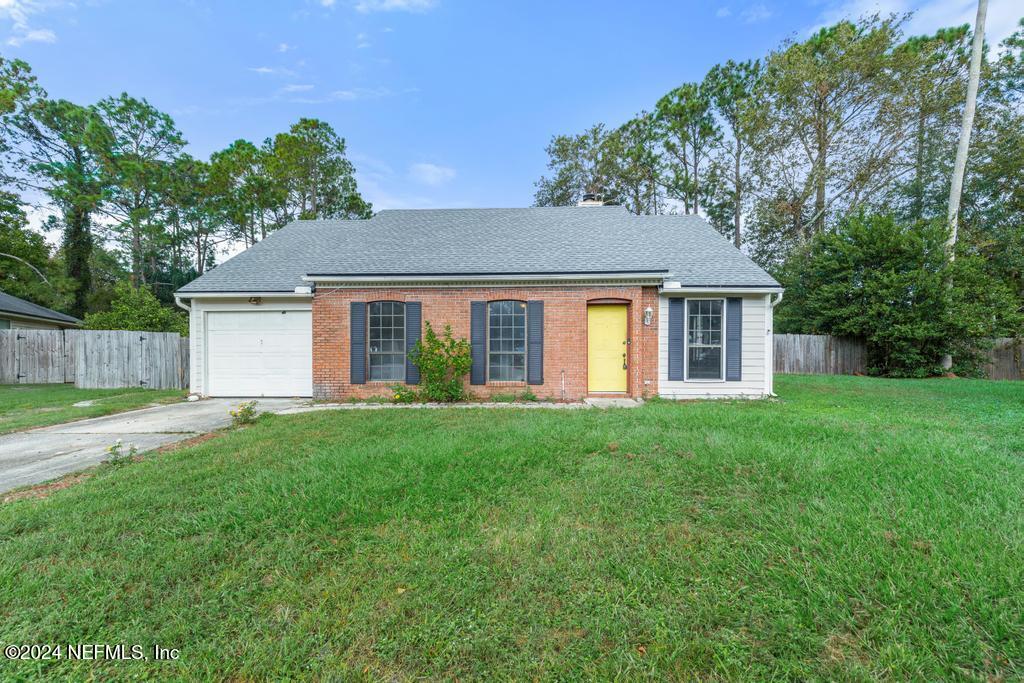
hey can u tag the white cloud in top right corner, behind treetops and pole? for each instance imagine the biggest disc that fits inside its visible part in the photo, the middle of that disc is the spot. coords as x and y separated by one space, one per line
931 15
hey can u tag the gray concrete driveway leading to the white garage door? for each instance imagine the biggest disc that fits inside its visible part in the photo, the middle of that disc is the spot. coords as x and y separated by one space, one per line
40 455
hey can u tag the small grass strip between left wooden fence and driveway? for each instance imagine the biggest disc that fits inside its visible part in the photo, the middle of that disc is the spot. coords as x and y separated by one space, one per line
28 406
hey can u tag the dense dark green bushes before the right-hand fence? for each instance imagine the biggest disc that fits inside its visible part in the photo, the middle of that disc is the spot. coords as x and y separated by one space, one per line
892 285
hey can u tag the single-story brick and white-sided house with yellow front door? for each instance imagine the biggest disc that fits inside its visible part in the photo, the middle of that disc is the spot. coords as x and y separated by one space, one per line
568 302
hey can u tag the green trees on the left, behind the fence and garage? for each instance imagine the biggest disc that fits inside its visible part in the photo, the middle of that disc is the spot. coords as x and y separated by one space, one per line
131 205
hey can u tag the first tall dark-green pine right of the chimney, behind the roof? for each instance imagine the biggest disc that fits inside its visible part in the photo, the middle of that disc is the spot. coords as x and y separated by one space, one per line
690 133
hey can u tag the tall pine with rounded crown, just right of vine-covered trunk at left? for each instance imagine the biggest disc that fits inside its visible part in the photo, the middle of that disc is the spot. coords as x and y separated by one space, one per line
139 146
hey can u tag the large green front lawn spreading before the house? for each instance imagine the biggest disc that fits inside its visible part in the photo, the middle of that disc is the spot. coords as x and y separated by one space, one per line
855 530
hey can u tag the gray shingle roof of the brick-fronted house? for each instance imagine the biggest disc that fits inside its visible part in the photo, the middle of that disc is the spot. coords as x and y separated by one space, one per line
562 240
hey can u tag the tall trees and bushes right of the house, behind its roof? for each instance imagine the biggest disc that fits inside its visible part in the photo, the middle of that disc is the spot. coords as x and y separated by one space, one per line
829 162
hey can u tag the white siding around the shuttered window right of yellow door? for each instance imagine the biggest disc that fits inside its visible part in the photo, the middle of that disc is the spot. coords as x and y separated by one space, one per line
756 377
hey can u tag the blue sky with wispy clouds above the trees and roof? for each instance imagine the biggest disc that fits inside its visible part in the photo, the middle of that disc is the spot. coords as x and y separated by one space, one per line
444 103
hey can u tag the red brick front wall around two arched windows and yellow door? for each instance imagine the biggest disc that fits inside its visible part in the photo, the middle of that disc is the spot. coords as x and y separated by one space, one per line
565 336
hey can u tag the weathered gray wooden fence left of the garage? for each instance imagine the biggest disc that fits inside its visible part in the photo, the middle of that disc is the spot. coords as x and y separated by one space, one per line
95 359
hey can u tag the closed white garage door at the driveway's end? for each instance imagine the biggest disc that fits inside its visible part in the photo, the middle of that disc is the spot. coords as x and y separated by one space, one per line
260 354
